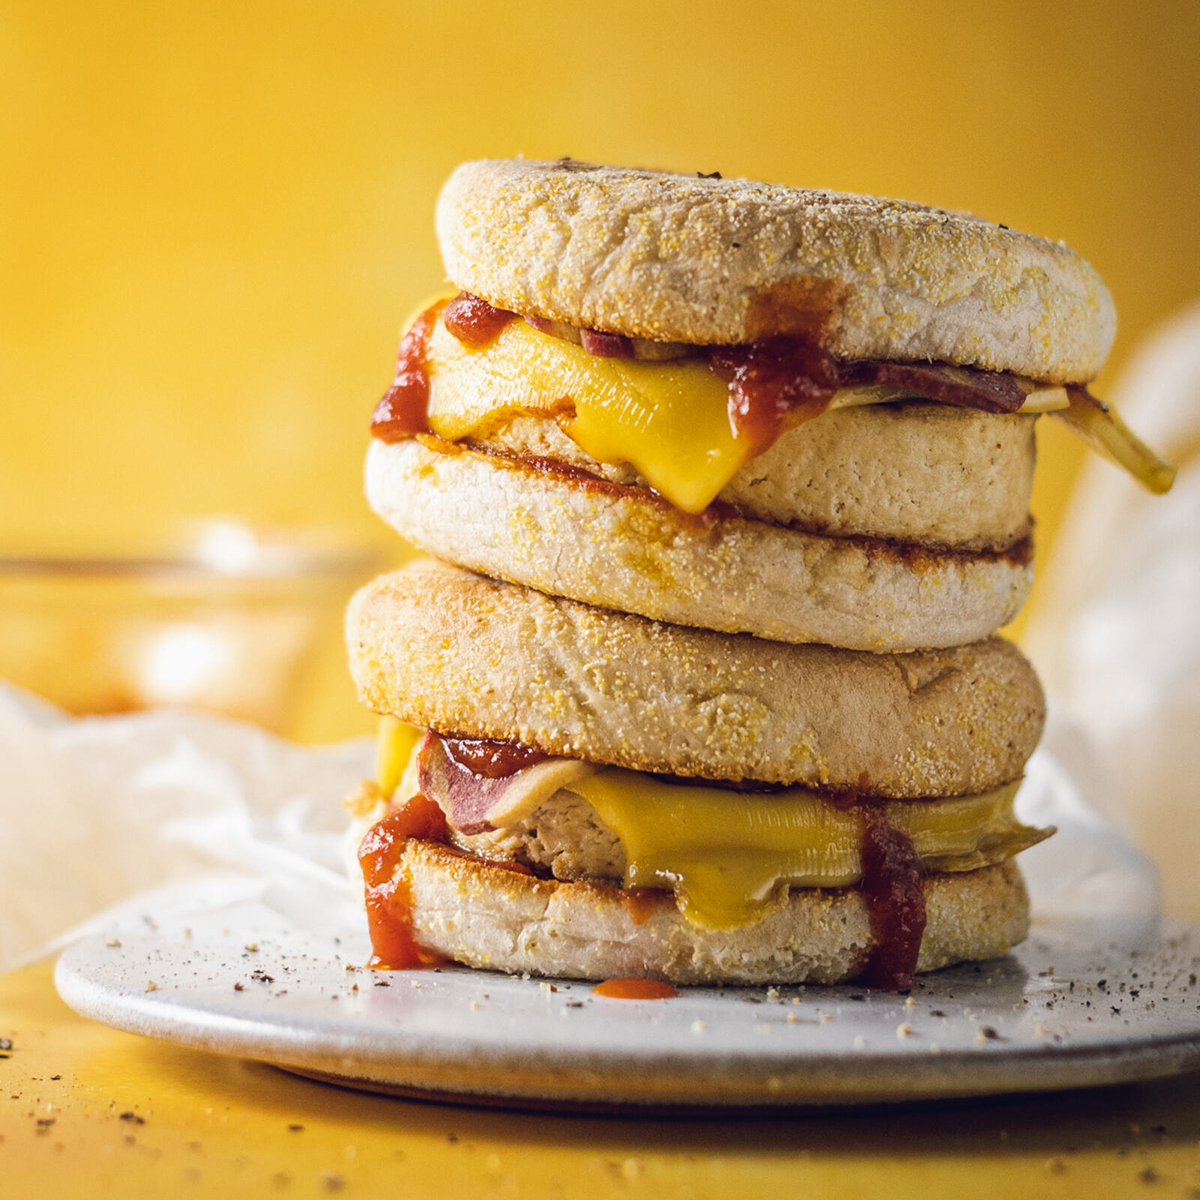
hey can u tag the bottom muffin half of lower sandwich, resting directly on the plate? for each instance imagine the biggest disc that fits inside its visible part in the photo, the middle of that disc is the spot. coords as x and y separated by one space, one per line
487 916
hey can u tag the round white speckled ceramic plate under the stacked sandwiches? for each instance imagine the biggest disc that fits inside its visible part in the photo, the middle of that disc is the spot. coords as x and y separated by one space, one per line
1063 1012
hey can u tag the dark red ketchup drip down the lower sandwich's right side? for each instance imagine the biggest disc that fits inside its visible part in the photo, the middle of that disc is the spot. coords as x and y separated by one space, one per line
893 886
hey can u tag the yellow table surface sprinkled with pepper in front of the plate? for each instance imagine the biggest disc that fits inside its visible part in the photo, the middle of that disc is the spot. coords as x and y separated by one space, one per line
88 1112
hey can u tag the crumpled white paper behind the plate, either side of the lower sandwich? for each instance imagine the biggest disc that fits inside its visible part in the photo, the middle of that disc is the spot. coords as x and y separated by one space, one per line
106 819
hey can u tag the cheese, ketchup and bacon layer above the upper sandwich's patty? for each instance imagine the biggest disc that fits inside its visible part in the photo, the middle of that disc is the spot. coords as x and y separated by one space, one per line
687 424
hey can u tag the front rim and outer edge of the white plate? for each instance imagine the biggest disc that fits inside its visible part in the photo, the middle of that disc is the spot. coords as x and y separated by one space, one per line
491 1072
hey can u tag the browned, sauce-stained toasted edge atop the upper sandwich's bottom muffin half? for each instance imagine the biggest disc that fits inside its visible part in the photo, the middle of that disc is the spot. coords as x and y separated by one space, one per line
919 557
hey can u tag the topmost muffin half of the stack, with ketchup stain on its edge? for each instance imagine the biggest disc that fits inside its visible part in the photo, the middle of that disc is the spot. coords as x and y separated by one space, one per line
710 261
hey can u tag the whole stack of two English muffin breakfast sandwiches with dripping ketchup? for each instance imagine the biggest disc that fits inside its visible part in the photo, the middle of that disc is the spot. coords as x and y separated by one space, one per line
727 488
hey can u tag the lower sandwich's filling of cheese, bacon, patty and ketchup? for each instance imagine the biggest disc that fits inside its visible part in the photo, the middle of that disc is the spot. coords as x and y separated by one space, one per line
729 857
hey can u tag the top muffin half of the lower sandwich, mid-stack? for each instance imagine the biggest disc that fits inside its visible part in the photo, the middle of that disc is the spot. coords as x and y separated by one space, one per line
463 655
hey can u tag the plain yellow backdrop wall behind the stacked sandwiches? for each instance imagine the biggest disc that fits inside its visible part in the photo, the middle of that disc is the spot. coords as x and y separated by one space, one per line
215 215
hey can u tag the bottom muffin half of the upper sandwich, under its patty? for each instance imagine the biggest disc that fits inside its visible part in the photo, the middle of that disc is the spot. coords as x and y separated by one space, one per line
622 548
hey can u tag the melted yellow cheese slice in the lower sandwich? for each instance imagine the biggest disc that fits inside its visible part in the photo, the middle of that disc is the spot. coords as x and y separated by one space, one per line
730 857
